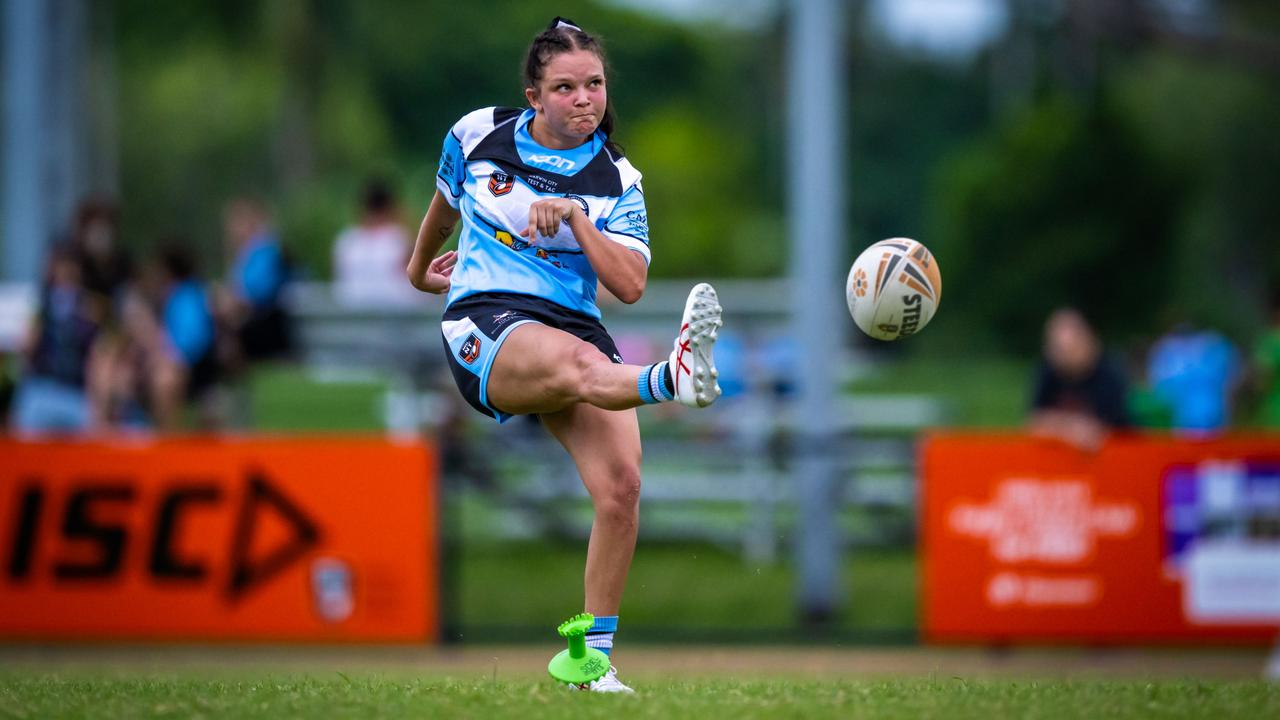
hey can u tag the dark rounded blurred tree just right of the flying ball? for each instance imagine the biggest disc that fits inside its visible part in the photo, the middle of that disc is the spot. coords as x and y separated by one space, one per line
1060 206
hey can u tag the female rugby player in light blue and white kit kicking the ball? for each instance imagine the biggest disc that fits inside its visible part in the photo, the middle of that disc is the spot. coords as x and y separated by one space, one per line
550 209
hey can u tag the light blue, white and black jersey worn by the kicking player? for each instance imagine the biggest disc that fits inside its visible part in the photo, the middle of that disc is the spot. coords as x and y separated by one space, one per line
492 171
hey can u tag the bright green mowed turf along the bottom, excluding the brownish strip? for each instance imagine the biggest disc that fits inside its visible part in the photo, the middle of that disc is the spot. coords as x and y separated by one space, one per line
342 696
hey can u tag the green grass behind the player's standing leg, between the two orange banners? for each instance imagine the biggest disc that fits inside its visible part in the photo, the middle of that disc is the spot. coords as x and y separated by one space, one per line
506 590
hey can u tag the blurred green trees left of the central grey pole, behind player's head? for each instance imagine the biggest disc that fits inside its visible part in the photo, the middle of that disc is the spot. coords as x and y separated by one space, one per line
300 102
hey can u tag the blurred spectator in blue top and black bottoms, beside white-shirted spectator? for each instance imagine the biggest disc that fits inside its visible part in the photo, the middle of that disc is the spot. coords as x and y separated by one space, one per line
253 308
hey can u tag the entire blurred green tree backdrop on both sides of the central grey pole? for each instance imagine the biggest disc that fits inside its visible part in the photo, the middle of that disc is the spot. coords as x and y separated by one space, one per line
1142 190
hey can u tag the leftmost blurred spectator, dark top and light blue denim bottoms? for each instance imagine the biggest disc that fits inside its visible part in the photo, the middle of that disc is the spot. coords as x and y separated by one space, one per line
52 394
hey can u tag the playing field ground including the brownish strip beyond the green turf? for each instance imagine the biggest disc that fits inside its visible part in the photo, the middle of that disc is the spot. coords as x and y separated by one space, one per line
700 683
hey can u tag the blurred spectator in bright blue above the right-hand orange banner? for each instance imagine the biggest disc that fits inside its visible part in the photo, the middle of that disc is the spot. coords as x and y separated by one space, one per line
1195 373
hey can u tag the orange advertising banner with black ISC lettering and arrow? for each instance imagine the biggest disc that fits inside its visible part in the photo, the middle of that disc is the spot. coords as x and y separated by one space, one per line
218 539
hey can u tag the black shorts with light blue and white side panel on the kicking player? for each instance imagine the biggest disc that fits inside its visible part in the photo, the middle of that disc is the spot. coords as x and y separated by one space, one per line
476 327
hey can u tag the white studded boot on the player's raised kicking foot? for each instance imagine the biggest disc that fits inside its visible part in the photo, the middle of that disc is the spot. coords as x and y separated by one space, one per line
692 364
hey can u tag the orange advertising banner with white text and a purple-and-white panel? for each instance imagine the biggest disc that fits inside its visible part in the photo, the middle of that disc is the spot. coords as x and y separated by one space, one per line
1150 540
